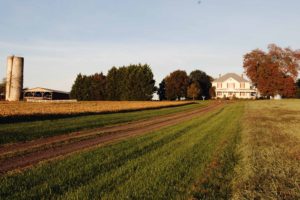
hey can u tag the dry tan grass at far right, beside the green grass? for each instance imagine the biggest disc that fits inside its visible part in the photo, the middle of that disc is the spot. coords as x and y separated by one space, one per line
270 150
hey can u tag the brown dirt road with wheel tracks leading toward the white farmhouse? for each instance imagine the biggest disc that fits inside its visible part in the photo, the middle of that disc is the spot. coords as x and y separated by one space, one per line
21 155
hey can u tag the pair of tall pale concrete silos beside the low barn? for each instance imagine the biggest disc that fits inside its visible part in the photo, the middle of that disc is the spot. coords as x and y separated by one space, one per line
14 78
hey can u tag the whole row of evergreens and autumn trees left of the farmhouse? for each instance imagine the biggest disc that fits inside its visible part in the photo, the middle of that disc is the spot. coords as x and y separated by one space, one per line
136 82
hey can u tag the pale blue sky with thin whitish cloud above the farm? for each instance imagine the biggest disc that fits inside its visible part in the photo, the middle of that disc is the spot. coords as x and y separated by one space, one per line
61 38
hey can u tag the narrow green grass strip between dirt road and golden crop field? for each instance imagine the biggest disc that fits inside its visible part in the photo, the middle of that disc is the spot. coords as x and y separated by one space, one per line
25 131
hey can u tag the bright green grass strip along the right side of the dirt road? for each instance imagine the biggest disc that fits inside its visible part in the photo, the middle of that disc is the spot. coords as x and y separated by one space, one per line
159 165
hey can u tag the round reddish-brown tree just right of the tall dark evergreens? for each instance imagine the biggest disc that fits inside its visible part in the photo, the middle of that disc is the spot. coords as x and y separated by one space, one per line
176 85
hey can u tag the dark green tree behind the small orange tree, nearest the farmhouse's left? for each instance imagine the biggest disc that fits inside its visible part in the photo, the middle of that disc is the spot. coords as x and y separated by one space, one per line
203 82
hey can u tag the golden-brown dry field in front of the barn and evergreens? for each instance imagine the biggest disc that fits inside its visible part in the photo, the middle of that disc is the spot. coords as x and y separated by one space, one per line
30 108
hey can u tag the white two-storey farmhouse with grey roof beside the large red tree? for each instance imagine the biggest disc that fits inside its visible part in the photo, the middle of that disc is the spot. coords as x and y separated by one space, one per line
232 85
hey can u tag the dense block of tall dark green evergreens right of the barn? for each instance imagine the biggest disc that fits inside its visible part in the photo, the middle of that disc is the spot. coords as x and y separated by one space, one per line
133 82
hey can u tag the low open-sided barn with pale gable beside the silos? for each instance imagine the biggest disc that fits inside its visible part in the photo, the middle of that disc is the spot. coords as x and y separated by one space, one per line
39 93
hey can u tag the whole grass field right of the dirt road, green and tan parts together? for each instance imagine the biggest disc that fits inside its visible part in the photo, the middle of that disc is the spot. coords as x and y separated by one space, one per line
245 150
